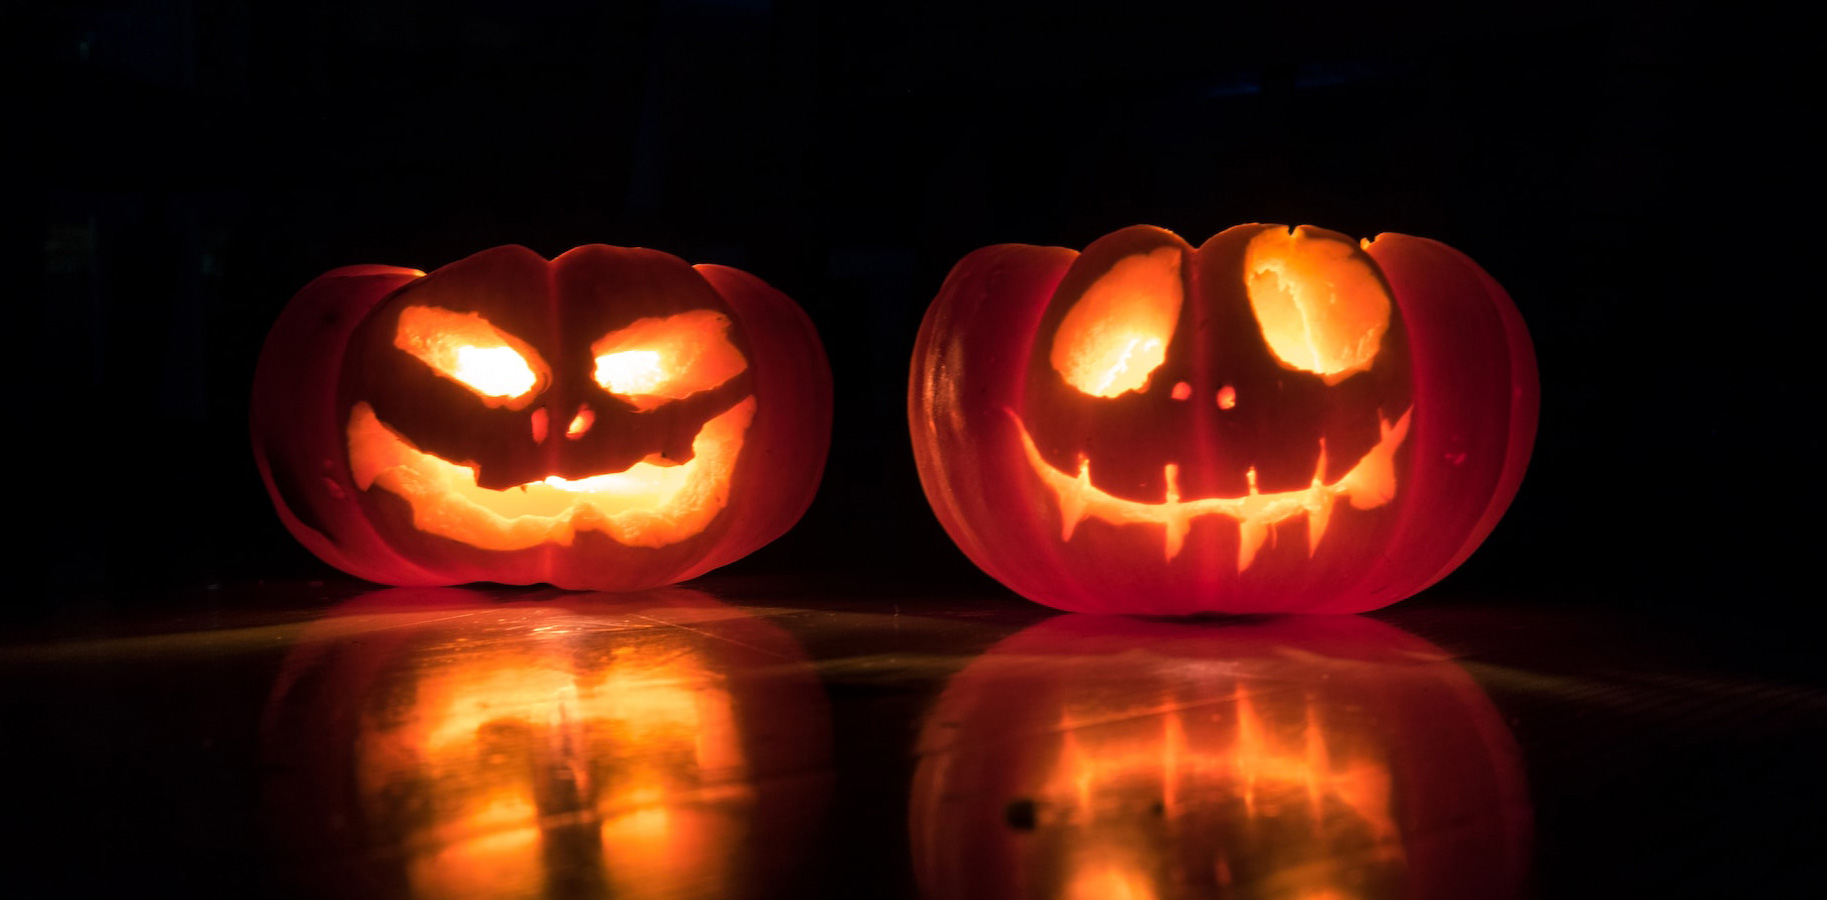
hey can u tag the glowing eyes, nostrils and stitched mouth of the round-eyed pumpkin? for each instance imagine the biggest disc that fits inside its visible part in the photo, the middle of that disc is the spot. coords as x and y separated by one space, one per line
1322 309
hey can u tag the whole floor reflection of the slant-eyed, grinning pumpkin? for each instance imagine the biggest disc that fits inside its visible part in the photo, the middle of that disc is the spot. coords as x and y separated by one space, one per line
434 744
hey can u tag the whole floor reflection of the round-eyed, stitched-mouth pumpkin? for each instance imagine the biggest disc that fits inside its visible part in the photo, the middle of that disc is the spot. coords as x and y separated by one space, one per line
1282 759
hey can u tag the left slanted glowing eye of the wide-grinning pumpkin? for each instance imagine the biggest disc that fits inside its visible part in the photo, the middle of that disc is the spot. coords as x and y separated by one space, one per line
467 350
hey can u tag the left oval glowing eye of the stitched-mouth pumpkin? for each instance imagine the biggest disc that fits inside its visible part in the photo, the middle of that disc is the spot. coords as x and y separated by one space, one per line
1117 335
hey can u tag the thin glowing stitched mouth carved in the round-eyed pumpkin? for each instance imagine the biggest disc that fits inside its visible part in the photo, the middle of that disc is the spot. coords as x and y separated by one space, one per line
1366 487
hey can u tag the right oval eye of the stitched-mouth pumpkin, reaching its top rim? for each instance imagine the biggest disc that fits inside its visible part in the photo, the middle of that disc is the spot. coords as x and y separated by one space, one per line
1322 306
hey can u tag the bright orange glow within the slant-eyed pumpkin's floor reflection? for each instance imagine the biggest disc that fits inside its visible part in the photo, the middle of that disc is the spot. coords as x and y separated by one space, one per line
516 749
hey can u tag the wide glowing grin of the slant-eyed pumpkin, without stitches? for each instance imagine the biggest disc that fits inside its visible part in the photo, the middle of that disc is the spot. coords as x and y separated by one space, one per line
646 507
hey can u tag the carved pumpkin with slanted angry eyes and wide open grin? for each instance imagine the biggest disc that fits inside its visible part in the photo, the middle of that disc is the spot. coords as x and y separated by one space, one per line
609 421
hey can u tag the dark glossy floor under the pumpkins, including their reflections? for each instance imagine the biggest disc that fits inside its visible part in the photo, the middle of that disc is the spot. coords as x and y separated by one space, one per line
759 738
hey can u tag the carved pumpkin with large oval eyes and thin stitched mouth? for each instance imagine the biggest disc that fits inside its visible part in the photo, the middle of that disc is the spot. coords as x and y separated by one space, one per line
1278 421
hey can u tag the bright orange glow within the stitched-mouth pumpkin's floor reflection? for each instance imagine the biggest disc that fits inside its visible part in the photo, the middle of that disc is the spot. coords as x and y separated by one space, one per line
1132 784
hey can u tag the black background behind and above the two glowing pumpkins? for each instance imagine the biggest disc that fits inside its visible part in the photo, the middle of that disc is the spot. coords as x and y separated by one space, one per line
1631 173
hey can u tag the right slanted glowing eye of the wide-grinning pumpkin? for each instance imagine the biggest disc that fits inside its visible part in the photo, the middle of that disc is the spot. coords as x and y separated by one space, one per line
659 361
